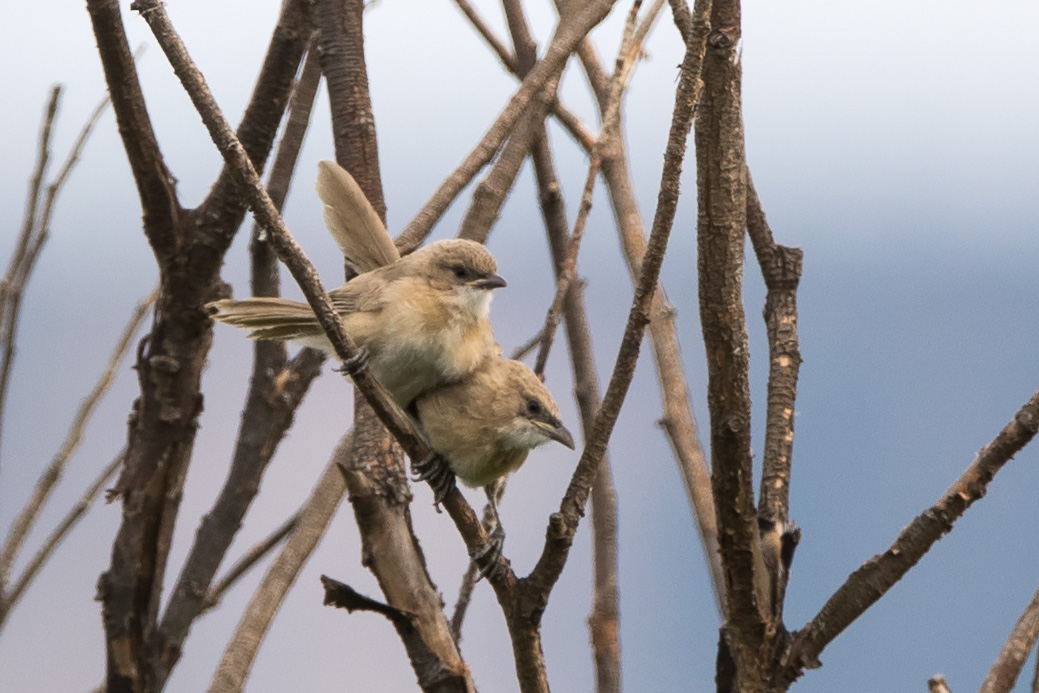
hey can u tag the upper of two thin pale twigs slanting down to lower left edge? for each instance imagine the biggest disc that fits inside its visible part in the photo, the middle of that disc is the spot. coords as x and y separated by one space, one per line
52 474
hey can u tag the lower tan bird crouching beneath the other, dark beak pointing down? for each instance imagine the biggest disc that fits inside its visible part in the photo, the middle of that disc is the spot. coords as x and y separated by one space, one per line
482 429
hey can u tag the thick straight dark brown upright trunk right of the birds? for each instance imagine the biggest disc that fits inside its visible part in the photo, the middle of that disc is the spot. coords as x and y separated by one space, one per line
723 195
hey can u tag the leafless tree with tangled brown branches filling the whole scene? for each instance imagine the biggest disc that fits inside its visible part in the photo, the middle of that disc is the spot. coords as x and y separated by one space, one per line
749 542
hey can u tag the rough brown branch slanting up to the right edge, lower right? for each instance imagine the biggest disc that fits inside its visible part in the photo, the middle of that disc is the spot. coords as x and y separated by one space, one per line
880 574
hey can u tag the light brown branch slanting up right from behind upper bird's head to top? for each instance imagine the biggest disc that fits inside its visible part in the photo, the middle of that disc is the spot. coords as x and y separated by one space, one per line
569 34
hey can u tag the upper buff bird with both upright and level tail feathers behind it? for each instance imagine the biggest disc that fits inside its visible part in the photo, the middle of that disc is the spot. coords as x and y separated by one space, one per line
422 321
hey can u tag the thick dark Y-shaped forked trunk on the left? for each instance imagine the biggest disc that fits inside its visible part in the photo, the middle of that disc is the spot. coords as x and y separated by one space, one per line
190 249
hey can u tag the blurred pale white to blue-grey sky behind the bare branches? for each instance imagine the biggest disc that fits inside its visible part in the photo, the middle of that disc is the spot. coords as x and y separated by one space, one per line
894 142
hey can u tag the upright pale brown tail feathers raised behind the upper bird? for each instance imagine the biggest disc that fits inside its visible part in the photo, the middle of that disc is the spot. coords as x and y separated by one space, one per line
352 221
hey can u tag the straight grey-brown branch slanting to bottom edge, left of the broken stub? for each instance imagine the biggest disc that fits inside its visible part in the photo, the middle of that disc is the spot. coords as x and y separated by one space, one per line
314 519
